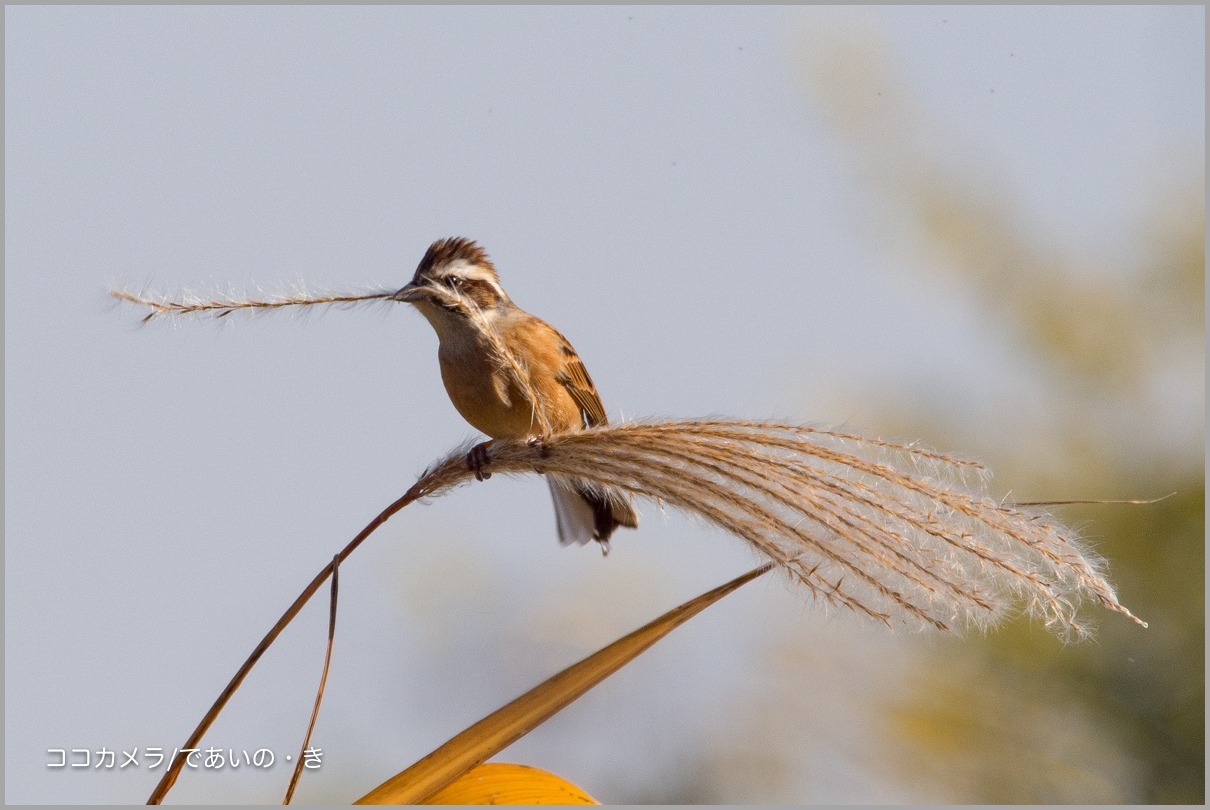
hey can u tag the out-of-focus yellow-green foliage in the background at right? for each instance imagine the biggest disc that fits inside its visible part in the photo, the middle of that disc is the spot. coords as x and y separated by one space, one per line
1117 349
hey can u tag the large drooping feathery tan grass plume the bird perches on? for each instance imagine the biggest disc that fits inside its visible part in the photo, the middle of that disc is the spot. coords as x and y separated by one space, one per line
894 532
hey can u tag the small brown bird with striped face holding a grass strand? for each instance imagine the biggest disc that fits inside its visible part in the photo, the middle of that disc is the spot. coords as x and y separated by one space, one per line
512 376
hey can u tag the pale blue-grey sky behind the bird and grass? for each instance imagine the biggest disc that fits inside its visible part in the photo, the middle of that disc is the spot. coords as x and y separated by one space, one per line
653 181
